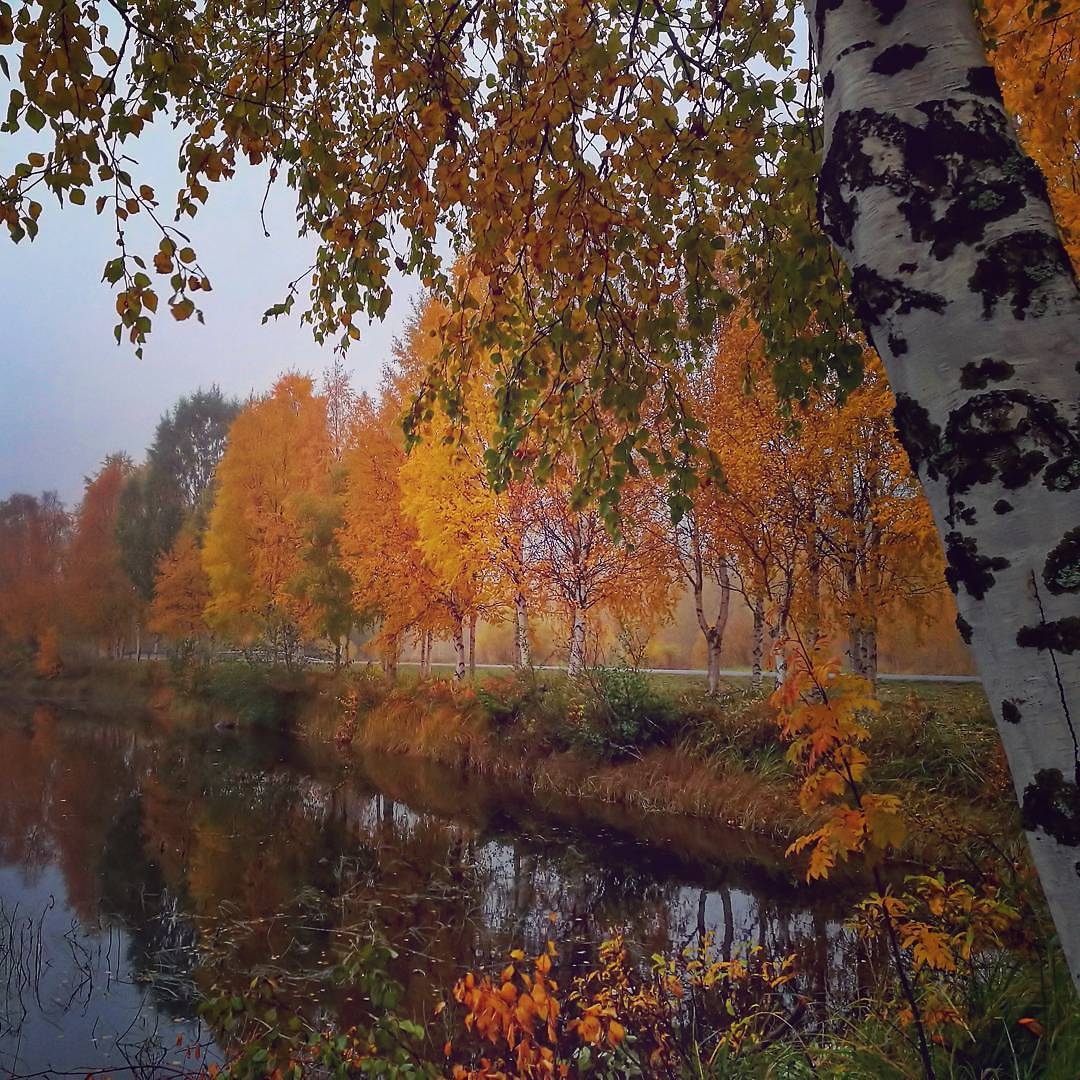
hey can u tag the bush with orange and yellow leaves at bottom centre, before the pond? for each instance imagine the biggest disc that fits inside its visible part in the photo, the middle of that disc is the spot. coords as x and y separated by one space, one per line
623 1019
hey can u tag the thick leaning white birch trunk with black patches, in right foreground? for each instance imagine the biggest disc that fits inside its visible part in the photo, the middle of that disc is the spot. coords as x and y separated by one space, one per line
961 278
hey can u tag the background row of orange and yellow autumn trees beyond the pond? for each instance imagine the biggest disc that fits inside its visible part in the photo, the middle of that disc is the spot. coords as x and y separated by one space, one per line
304 524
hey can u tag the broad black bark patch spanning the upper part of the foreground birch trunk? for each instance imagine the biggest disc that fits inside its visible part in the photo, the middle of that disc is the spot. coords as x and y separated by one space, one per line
954 175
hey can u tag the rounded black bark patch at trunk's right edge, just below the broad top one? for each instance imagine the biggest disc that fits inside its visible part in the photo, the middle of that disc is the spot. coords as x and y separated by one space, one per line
1019 267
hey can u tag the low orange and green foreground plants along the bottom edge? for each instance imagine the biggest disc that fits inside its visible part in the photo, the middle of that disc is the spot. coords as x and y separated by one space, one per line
691 1015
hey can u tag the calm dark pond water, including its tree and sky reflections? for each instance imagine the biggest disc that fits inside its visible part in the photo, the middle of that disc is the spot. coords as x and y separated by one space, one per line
142 867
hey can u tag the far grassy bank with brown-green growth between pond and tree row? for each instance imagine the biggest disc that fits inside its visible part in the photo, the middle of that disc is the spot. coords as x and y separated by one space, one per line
616 737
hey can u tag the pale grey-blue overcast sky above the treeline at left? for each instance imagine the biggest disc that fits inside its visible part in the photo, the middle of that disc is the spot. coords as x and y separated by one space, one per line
70 396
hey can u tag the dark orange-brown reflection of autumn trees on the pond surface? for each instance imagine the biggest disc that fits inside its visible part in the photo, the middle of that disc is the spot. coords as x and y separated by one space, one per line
279 865
